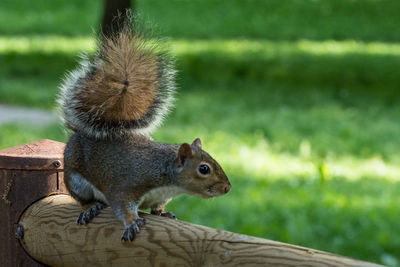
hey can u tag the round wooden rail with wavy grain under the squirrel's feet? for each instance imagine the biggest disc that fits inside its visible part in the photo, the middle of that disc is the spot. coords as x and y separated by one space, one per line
52 236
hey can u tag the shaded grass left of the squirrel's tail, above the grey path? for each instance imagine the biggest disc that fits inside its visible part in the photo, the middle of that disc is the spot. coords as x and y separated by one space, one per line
32 79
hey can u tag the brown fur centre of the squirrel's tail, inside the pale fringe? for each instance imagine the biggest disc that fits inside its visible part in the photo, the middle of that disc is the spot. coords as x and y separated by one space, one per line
124 86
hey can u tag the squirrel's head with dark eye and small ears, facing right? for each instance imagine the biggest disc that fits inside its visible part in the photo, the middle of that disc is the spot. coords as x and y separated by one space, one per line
199 173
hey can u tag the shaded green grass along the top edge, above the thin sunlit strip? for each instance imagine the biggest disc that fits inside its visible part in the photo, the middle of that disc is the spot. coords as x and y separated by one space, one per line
367 20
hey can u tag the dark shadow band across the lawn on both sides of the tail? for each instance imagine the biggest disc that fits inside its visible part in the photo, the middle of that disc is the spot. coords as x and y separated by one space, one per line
349 77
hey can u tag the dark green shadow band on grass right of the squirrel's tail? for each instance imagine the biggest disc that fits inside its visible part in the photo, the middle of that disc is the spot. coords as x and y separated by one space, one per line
344 72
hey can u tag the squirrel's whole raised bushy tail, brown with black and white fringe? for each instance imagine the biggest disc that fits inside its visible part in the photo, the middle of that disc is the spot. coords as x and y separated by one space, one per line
127 87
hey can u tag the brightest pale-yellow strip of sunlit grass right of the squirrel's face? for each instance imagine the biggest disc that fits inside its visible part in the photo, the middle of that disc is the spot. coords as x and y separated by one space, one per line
259 161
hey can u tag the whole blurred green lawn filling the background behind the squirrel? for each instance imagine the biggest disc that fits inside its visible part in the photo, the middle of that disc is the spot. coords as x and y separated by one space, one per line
297 99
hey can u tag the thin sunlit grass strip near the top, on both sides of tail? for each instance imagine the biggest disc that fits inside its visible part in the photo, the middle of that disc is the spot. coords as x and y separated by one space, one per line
63 44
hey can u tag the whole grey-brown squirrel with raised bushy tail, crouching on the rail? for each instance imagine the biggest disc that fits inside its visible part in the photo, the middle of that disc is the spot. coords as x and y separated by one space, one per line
112 103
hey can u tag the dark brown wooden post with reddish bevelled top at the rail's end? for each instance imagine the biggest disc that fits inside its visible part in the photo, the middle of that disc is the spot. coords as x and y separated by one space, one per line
27 173
